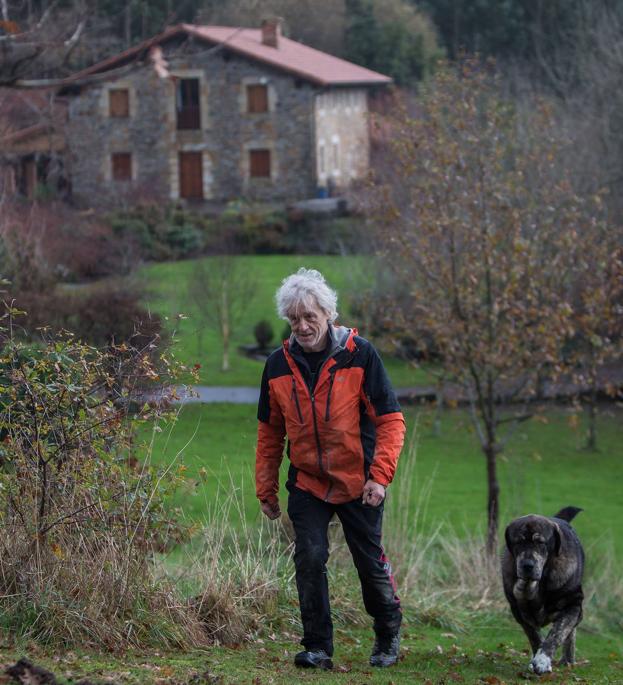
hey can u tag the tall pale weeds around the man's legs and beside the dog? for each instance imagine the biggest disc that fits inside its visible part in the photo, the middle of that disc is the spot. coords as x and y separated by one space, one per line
445 578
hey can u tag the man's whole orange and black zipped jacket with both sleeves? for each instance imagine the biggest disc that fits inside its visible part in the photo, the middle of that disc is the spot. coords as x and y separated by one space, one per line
343 424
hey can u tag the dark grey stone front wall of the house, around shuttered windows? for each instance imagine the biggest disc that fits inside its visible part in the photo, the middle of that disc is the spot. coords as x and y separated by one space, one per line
226 136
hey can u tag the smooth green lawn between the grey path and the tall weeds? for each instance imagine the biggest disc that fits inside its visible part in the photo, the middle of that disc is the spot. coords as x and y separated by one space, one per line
542 470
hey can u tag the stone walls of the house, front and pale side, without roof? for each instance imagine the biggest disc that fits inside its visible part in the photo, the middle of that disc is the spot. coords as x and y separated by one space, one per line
308 135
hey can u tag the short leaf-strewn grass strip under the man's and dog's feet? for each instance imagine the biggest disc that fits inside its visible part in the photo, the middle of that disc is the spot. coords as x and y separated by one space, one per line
490 652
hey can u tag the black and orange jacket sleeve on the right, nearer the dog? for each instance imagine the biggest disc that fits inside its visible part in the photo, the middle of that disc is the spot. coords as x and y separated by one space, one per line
383 408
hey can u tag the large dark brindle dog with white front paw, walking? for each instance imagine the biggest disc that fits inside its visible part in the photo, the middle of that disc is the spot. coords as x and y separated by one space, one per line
542 569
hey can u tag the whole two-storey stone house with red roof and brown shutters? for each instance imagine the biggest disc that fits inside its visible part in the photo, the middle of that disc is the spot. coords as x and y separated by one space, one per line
217 113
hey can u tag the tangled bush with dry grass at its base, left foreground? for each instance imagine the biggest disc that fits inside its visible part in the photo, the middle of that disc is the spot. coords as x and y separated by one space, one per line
79 524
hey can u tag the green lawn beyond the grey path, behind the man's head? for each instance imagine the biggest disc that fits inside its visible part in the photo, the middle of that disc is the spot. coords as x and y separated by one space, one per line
167 285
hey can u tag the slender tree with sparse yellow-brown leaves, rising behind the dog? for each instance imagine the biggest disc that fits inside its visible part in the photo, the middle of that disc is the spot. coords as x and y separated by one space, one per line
482 227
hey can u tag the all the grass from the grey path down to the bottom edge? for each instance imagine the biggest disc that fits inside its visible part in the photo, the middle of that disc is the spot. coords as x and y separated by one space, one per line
457 627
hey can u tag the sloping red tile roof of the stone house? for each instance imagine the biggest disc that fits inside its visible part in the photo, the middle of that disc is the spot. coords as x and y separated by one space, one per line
310 64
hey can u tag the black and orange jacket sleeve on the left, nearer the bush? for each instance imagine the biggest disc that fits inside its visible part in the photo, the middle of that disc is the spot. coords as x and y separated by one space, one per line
270 441
